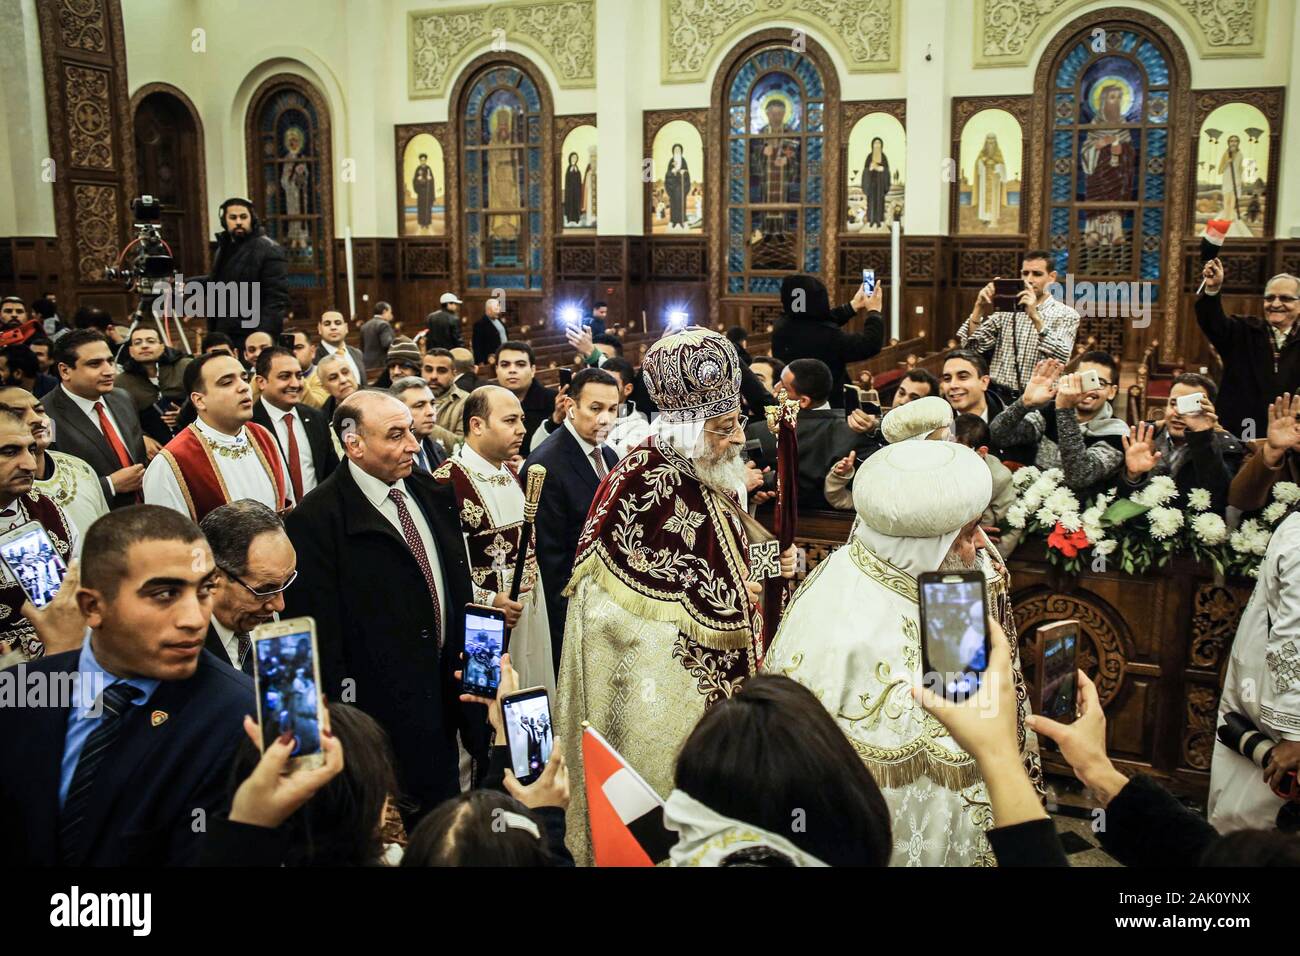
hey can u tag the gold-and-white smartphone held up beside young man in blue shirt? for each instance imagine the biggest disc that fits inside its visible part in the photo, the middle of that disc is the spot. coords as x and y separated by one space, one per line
287 682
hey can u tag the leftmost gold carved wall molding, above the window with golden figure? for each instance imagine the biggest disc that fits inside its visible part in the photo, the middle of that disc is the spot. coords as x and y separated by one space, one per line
561 32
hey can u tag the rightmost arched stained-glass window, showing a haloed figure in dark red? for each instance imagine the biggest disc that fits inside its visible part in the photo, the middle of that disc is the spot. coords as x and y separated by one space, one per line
1111 149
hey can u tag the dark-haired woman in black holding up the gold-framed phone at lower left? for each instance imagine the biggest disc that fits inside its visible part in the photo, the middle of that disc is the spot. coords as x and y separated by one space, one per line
340 825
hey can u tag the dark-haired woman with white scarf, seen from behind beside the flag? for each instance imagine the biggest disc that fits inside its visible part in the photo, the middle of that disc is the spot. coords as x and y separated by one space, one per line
772 760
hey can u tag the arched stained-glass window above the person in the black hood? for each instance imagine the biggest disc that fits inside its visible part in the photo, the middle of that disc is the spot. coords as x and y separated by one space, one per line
775 141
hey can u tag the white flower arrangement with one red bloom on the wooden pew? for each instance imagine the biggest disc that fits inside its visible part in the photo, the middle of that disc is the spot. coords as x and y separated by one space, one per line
1141 531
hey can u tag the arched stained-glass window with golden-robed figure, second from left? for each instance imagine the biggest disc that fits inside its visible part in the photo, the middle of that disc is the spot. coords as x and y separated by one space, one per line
502 162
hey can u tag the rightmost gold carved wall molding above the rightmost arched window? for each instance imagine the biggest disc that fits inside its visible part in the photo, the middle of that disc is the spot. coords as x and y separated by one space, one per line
1008 32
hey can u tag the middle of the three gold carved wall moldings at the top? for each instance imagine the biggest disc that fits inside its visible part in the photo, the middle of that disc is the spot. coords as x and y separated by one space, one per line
694 33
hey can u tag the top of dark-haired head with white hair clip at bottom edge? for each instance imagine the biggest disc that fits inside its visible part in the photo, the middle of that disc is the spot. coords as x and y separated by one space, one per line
482 828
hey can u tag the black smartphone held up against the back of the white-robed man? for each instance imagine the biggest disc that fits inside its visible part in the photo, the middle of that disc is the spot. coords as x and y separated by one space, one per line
955 631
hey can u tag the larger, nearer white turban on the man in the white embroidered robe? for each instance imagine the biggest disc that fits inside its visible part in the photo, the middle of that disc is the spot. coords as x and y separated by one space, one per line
913 500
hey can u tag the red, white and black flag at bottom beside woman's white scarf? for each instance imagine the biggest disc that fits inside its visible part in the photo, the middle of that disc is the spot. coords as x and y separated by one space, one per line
626 814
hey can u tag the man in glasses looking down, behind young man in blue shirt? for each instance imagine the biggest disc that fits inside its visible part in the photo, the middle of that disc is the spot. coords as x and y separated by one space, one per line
255 564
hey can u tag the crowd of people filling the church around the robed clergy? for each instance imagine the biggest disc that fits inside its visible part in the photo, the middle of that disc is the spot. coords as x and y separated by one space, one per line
382 492
